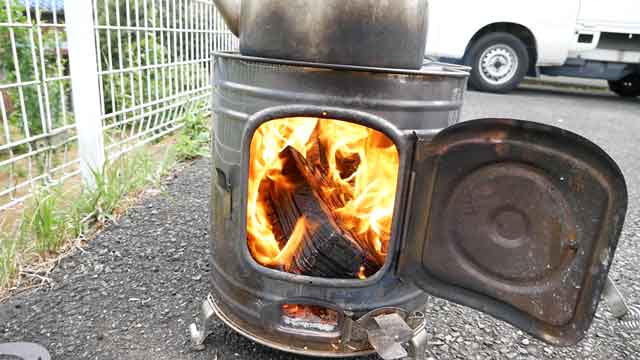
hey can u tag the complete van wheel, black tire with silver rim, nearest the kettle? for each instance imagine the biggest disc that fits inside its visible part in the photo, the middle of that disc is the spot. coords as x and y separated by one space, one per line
499 61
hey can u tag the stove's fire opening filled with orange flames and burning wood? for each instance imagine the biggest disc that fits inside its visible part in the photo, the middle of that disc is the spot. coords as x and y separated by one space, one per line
321 196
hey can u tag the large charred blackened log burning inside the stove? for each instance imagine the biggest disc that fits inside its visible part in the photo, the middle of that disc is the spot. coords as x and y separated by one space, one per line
326 250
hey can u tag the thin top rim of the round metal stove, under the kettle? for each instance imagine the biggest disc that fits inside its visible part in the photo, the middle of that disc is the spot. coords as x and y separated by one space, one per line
429 67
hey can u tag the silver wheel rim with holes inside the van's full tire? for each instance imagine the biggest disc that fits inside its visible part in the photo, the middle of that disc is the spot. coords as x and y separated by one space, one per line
498 64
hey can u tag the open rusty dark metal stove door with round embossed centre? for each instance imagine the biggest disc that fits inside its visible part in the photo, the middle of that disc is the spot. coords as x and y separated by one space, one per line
516 219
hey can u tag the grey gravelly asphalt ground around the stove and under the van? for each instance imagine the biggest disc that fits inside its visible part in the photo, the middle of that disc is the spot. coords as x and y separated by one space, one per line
137 286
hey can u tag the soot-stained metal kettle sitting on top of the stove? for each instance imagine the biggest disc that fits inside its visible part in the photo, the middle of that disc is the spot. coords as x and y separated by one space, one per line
375 33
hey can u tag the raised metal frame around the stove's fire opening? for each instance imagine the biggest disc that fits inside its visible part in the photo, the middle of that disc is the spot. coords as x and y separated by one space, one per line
403 141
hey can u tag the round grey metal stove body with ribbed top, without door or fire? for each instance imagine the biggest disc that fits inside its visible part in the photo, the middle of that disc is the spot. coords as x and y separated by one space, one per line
250 295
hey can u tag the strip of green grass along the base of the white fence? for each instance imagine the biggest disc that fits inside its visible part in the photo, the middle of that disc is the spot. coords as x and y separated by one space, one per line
58 214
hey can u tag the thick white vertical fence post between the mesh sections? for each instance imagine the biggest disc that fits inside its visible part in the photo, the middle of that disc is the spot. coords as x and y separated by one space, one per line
85 85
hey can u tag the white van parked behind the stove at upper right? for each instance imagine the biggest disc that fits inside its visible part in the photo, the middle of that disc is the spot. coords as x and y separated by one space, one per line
505 40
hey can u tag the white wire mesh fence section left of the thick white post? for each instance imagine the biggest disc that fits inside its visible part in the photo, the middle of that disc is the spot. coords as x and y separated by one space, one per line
37 126
